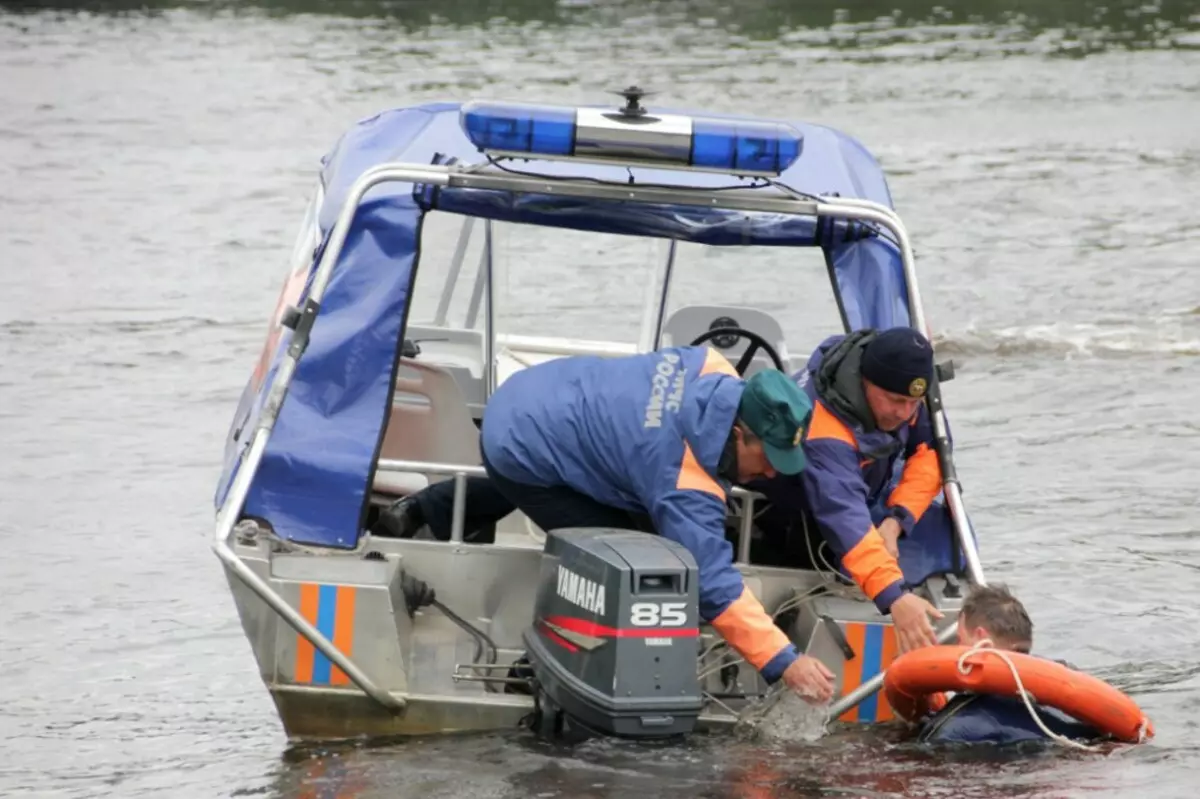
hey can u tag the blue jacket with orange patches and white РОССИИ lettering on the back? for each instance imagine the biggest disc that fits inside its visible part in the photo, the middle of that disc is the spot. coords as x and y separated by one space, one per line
645 434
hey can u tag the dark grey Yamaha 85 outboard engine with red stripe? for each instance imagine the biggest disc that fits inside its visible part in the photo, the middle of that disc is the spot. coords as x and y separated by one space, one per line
616 635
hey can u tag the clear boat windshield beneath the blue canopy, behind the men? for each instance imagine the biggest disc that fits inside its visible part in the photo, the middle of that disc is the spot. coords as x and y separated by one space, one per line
557 292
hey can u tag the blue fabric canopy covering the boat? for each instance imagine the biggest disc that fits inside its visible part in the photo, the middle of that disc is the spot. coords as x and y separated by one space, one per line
314 483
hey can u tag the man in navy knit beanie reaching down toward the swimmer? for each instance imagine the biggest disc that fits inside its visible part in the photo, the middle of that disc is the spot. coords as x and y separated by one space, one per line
869 416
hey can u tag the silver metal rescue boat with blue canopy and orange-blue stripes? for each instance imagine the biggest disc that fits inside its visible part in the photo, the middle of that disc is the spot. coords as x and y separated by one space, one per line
388 339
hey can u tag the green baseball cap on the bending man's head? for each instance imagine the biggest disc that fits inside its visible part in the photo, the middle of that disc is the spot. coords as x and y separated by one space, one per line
777 411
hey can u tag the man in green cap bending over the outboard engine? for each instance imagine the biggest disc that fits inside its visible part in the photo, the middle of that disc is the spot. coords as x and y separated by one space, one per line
589 442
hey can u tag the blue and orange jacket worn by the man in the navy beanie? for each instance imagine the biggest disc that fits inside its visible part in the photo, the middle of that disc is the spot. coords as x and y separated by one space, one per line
850 464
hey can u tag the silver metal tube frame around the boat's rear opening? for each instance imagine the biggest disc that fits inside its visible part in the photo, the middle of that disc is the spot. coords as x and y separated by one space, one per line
302 322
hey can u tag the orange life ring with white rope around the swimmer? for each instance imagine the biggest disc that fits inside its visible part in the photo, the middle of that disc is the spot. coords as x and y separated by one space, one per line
915 683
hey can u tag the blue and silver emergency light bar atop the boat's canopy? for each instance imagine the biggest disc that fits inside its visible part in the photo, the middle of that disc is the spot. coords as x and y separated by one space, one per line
705 145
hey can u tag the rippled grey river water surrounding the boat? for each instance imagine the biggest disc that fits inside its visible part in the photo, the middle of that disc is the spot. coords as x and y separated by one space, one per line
157 160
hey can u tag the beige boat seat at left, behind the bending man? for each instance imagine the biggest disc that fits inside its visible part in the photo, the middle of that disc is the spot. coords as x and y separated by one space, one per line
429 422
